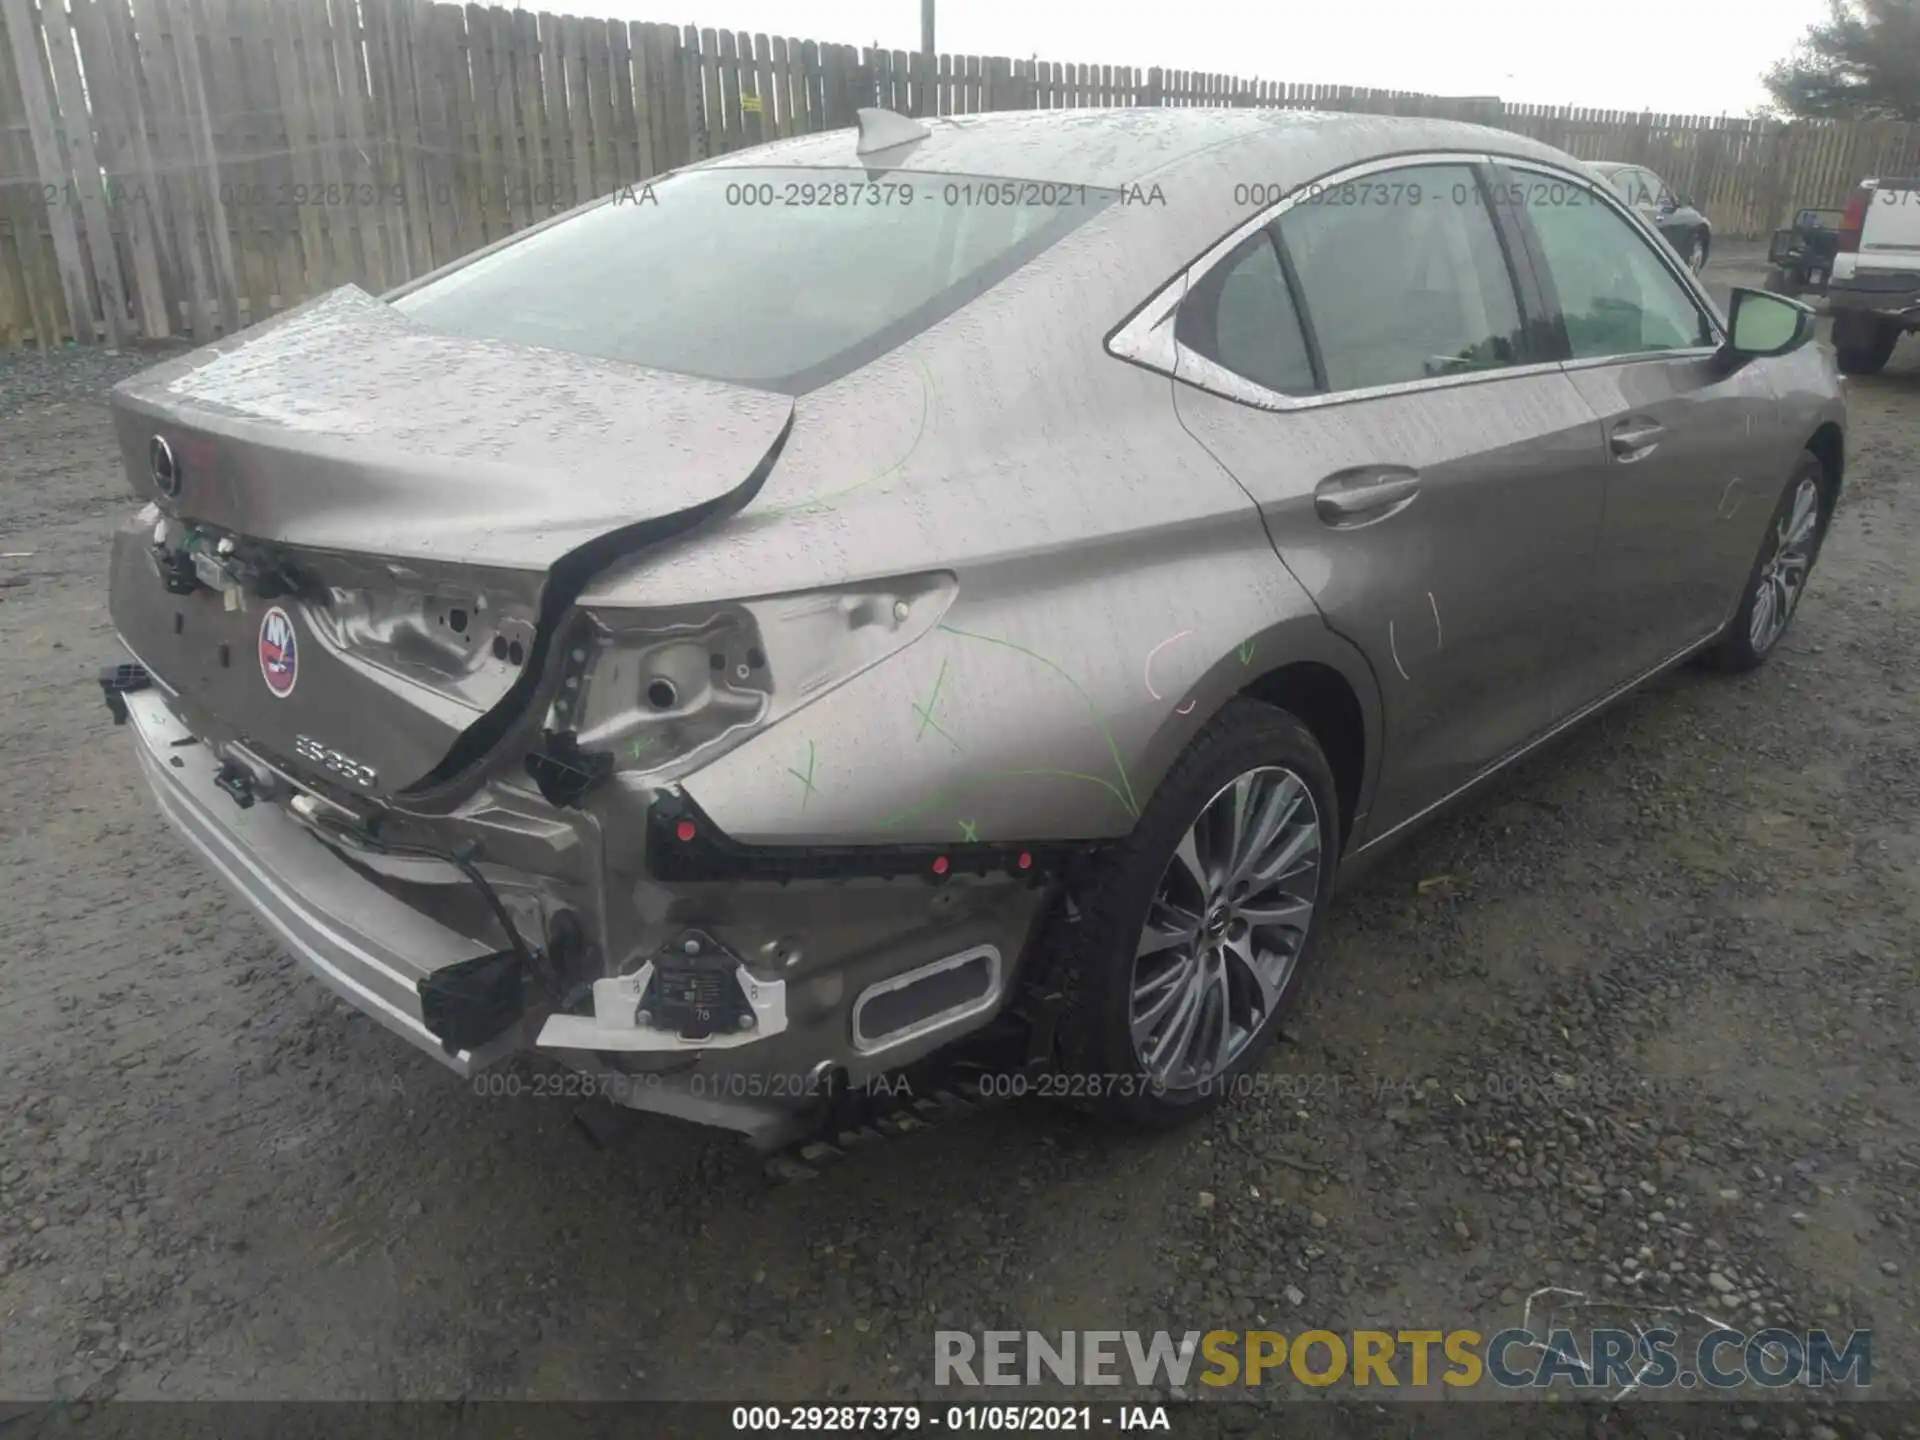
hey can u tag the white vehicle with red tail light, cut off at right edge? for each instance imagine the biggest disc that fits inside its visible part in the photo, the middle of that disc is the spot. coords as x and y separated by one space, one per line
1875 291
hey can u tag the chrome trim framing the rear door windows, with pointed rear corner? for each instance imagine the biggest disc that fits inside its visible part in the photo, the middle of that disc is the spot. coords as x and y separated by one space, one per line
1149 337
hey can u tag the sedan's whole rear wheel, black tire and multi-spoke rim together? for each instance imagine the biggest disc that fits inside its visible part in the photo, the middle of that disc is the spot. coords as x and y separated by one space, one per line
1197 930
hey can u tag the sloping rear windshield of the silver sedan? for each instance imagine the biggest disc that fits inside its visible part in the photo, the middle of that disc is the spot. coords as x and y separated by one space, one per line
780 279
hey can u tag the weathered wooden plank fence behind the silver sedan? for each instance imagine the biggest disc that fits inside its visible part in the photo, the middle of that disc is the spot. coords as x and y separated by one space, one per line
183 168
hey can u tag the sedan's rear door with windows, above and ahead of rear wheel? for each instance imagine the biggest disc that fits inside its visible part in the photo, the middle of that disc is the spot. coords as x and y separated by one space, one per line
1364 366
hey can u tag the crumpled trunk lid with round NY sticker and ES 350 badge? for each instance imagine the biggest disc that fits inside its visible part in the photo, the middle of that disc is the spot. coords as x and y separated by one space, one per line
370 529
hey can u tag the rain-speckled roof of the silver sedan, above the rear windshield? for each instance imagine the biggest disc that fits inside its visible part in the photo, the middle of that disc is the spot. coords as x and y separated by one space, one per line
1115 149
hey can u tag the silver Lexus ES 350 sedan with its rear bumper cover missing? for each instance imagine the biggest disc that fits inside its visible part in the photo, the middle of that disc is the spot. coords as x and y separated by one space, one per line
932 581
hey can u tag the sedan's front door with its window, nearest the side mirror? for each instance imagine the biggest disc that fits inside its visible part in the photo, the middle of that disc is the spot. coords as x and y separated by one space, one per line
1691 452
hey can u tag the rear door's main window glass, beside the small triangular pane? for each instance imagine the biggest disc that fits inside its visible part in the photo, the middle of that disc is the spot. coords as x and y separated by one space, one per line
1403 277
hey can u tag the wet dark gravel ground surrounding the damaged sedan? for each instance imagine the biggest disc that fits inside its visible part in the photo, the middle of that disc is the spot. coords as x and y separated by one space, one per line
1641 1024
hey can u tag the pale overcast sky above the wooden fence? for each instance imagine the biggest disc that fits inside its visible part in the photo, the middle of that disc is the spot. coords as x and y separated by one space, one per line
1689 57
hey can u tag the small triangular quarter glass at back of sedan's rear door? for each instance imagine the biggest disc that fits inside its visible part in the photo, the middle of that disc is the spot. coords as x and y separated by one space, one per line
1241 316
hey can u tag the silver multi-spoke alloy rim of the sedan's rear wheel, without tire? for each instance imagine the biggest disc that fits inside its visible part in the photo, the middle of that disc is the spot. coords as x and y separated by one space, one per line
1226 928
